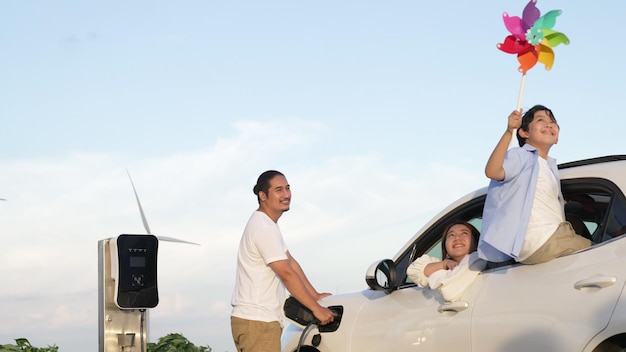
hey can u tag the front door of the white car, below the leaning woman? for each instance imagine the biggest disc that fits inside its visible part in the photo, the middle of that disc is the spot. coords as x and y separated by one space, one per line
413 318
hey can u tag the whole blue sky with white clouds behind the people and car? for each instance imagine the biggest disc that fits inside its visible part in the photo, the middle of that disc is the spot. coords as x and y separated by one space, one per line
379 114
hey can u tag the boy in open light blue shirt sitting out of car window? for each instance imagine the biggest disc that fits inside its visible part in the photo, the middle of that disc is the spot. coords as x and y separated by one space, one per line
524 218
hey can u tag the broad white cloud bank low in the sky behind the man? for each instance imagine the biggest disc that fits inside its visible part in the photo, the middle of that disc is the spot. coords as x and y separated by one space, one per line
346 212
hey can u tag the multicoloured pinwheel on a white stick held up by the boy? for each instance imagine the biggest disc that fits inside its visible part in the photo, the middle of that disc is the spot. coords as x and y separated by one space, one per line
532 39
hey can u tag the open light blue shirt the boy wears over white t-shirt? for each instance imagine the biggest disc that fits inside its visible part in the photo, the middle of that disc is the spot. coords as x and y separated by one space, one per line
508 205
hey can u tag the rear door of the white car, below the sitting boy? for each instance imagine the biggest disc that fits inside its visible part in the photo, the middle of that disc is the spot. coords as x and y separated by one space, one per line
555 306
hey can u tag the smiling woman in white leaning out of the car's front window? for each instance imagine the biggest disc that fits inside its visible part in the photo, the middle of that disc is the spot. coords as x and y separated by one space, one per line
452 274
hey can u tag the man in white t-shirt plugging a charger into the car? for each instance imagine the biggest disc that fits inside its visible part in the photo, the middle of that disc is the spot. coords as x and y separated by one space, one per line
264 269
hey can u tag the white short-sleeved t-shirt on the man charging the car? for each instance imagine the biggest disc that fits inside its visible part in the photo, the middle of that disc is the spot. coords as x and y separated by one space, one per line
259 293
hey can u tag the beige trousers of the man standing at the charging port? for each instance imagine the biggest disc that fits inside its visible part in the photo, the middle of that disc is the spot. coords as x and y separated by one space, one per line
256 336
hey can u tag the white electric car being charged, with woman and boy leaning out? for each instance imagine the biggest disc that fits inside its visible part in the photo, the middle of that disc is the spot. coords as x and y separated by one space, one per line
572 303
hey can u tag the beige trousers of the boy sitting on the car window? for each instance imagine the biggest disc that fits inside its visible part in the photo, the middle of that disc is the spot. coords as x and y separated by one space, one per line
562 242
